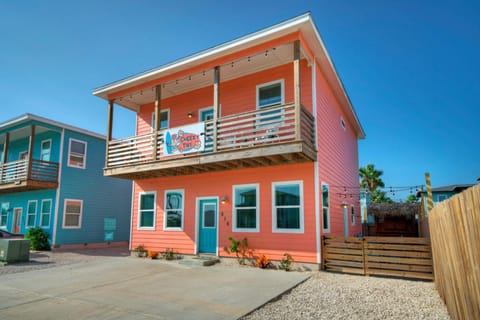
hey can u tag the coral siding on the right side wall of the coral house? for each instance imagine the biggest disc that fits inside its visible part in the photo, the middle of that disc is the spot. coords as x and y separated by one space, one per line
337 158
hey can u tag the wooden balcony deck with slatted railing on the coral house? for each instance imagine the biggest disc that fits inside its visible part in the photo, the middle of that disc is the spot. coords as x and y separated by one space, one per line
271 136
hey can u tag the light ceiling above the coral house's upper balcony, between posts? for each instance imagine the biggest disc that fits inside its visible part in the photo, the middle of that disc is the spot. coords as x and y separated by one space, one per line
234 69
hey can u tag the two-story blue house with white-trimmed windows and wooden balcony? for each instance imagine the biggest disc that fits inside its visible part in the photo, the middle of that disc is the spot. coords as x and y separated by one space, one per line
51 175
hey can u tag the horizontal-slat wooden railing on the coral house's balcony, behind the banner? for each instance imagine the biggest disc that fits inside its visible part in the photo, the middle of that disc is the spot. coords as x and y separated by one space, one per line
246 130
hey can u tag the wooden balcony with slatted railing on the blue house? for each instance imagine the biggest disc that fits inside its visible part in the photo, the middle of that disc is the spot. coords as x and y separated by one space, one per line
19 176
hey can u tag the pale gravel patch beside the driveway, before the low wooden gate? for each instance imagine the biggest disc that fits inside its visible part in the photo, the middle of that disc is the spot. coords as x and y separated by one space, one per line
339 296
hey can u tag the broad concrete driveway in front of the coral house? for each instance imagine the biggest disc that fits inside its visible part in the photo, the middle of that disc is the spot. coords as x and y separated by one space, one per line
132 288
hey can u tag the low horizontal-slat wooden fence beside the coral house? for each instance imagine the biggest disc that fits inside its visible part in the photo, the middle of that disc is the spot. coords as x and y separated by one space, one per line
386 256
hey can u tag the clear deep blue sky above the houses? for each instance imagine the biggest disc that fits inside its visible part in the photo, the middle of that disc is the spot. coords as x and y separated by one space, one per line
411 68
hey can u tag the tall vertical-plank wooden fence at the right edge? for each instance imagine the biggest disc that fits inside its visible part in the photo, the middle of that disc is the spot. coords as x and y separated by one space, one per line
455 234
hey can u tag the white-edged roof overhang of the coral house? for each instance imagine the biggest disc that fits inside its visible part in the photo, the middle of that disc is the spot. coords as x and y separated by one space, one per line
302 22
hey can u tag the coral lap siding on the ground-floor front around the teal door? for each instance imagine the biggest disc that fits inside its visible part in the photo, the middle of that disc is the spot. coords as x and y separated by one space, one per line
301 246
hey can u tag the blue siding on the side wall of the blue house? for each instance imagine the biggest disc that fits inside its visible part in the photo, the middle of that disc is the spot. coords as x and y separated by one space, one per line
103 197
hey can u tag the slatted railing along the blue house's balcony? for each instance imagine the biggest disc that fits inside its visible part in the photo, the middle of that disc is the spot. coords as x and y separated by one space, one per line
45 171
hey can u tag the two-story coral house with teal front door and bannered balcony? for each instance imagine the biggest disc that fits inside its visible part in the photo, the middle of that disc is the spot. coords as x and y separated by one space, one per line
252 138
